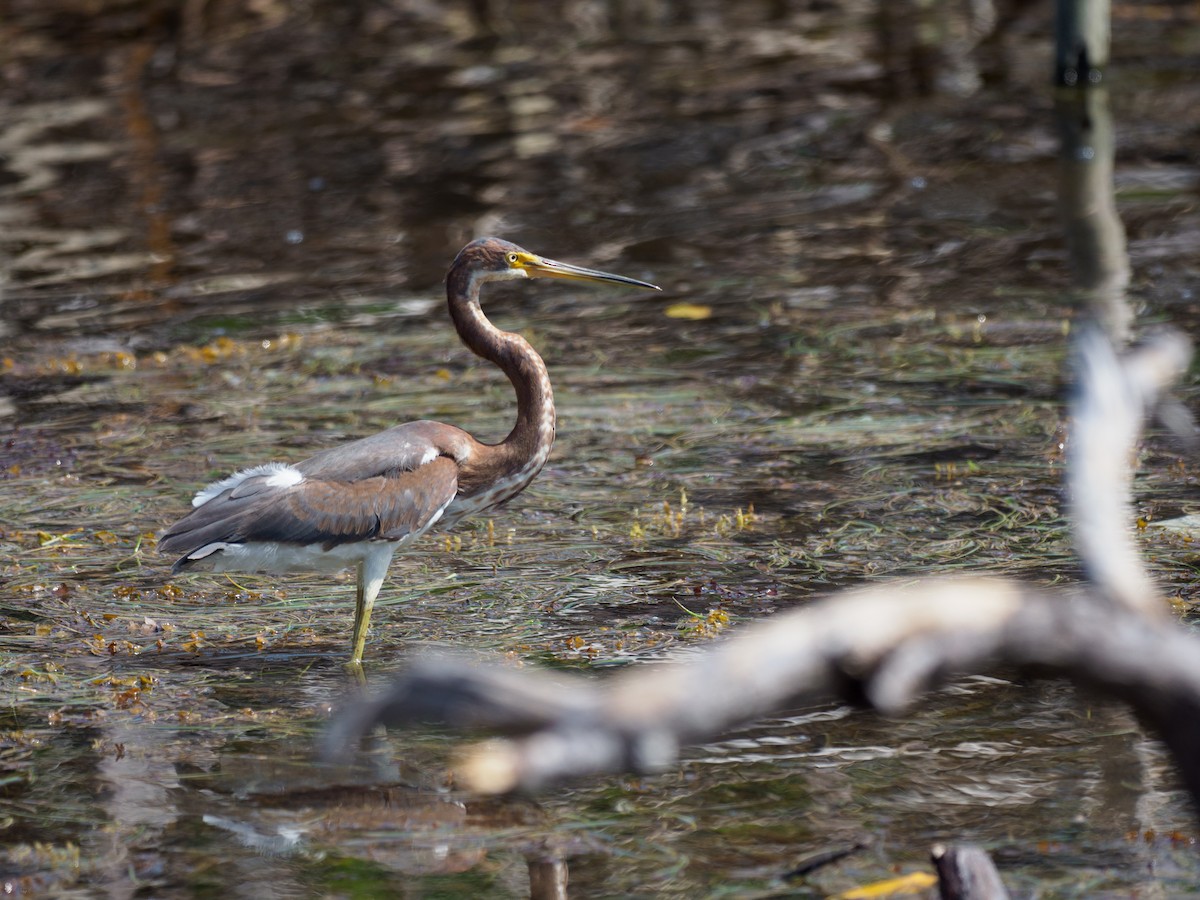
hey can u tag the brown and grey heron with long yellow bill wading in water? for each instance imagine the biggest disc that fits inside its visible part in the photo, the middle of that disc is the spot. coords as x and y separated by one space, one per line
356 505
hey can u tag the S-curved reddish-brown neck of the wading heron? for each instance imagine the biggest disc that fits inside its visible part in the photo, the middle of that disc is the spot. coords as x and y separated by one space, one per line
533 435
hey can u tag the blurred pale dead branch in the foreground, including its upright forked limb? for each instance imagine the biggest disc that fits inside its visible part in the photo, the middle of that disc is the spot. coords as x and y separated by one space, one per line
879 647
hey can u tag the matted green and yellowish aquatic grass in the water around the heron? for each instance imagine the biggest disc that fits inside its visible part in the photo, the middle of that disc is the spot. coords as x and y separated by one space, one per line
664 518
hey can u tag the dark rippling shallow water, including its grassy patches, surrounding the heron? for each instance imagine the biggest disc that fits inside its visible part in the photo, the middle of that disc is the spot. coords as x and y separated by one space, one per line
223 235
